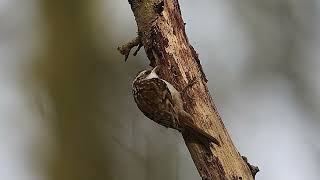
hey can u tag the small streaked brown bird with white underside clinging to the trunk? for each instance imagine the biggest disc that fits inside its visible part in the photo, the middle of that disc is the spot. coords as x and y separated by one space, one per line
161 102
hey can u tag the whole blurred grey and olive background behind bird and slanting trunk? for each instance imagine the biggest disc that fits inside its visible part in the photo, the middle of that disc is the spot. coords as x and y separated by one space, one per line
66 110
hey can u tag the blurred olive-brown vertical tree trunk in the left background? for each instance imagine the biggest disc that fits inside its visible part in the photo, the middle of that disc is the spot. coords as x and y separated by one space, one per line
70 70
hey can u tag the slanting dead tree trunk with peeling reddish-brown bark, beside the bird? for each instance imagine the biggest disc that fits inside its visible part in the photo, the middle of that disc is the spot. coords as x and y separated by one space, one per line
162 32
